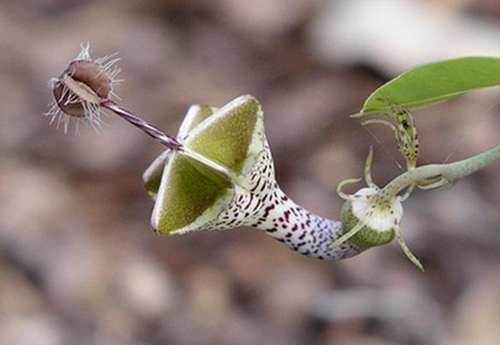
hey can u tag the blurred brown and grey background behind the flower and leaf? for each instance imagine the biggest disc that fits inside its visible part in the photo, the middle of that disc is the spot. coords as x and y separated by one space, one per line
78 261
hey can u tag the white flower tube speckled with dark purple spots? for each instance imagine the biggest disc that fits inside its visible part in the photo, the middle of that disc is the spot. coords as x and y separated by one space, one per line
265 206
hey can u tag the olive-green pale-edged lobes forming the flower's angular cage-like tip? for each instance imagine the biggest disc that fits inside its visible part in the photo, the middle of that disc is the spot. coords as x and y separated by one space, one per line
188 193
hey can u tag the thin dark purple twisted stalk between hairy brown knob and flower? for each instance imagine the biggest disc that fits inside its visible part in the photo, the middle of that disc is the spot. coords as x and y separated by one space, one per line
148 128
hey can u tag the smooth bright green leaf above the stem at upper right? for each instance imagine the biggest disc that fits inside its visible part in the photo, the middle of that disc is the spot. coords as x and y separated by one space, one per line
434 82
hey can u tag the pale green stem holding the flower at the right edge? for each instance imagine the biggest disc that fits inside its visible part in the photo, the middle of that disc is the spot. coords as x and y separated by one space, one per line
447 173
